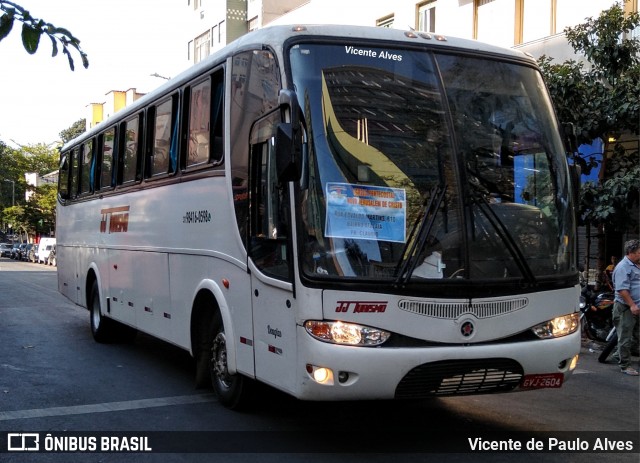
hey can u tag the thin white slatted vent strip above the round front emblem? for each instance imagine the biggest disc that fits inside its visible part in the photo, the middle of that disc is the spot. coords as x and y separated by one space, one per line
453 310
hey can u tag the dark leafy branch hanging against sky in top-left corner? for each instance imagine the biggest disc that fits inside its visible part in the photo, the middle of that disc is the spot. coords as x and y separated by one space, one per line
33 29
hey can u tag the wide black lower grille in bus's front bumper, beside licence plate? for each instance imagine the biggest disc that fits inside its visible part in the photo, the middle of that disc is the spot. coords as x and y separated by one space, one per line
460 377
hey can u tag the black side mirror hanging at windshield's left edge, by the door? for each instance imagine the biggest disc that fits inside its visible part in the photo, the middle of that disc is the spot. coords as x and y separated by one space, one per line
288 139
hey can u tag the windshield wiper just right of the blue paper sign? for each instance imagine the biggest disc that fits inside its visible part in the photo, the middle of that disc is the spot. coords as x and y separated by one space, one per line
409 258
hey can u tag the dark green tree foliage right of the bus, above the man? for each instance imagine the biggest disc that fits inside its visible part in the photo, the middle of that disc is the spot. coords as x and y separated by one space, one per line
599 95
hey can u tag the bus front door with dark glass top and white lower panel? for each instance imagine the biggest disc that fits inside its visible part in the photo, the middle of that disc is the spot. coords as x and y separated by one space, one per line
271 271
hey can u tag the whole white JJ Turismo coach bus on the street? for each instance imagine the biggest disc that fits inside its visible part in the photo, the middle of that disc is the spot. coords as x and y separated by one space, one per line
338 212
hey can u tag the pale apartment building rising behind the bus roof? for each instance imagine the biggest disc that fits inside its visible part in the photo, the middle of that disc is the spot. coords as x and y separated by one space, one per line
534 25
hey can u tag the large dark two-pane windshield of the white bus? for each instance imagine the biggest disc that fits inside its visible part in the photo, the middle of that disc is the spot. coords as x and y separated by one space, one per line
422 167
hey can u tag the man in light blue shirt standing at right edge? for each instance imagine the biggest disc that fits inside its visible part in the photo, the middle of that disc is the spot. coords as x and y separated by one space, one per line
626 280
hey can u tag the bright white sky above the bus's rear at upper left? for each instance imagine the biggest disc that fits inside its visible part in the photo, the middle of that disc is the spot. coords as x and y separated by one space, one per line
126 41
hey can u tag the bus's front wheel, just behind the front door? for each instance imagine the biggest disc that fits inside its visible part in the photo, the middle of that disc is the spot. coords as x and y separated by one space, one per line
233 390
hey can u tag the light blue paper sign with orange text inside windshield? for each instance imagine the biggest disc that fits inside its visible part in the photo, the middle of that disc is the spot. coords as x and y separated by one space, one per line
365 212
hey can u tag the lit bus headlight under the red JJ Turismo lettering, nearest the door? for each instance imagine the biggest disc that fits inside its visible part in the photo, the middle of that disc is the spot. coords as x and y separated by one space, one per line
346 333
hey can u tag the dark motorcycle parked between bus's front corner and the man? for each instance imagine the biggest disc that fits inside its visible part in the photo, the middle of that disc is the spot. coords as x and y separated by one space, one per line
596 315
